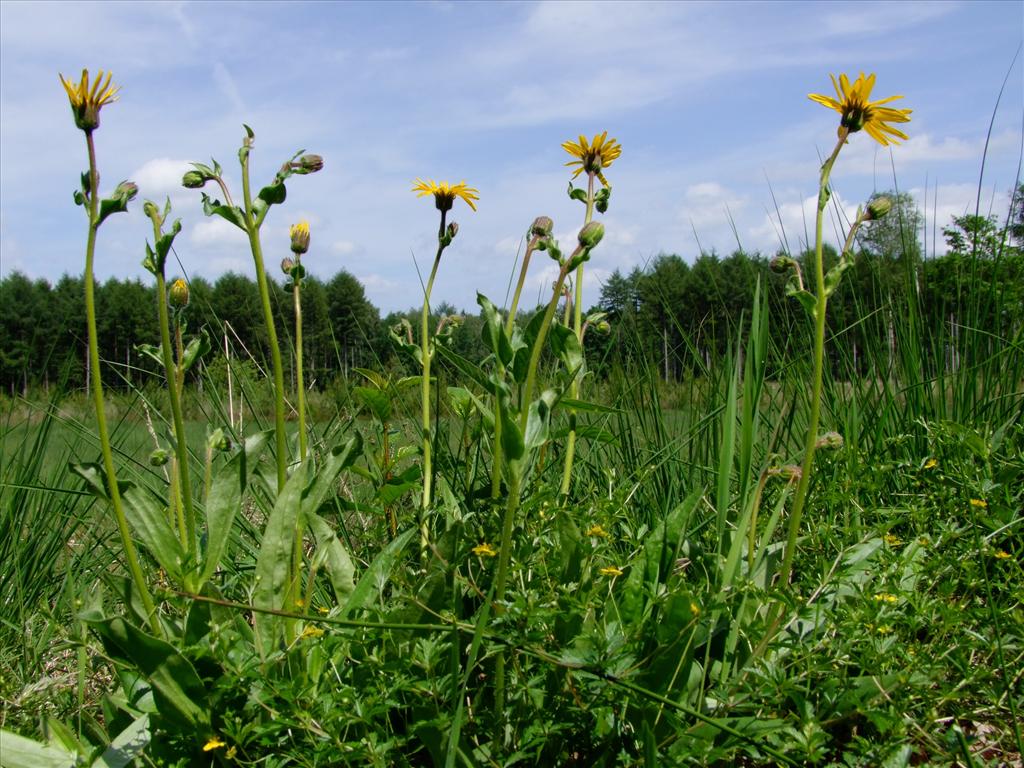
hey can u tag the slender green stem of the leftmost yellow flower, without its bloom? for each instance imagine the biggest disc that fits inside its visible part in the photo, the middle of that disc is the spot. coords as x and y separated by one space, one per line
98 398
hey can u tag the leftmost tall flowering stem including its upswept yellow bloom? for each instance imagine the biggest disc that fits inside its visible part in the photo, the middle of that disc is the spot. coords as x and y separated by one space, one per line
86 107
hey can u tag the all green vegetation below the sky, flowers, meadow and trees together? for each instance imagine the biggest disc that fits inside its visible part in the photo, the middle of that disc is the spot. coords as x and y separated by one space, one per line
608 566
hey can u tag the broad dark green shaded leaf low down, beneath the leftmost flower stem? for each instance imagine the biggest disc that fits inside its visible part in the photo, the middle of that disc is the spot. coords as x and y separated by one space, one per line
178 690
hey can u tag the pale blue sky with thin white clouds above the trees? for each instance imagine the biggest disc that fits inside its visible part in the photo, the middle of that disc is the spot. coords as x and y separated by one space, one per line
708 101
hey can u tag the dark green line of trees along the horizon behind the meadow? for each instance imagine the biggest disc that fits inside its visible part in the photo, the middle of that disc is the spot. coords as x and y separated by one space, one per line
677 316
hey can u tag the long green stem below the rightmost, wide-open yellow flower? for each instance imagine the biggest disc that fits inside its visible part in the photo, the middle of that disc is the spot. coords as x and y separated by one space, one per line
820 344
